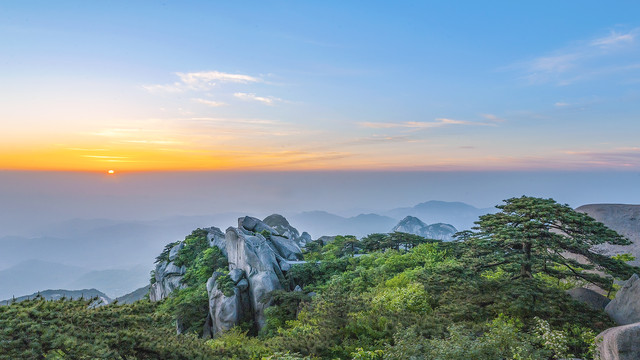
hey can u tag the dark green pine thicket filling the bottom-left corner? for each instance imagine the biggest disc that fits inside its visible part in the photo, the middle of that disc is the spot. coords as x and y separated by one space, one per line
64 329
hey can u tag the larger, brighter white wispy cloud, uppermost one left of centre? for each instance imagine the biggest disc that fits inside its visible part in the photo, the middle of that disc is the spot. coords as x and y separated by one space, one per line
201 81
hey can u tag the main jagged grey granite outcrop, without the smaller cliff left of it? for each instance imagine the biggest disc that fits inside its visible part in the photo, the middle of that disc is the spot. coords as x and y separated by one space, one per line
258 256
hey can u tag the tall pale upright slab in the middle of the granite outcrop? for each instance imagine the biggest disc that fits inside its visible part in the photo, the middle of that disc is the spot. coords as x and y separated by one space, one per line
255 255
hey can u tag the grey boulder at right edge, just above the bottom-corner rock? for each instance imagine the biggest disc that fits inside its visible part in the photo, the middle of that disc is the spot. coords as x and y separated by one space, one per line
625 308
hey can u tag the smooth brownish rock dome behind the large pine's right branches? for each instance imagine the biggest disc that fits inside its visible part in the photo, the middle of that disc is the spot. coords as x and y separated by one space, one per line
625 219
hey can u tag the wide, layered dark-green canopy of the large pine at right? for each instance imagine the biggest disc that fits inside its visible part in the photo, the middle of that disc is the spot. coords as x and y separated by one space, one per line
531 236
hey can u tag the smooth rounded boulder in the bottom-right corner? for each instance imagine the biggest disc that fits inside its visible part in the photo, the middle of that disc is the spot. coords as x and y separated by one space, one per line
620 343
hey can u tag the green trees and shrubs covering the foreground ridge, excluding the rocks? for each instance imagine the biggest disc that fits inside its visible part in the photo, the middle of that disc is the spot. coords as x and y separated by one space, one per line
498 293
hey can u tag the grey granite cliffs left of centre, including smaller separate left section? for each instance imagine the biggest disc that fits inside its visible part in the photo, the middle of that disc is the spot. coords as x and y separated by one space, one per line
258 257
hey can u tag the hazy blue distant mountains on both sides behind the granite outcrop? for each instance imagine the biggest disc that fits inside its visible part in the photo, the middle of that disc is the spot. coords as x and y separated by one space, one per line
116 256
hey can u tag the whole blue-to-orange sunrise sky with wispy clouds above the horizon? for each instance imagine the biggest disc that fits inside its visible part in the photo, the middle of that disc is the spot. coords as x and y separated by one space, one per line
297 85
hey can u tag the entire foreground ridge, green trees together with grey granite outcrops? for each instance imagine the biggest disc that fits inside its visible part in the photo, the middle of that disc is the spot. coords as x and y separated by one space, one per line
252 292
